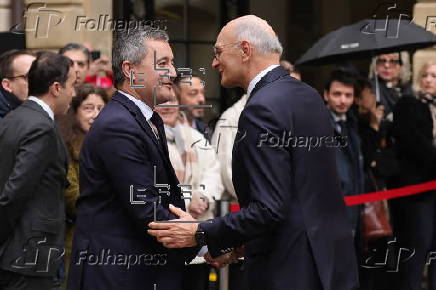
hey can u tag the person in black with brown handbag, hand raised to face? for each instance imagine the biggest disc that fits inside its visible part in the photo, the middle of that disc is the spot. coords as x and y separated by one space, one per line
375 241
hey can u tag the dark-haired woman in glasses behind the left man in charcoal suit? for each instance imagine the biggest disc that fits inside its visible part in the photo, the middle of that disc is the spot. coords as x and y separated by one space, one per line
83 110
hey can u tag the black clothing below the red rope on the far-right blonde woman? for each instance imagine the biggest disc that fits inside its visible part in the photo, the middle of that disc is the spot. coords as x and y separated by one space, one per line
414 221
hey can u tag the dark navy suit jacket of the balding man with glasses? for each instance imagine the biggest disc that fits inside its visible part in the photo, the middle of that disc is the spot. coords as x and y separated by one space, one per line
292 218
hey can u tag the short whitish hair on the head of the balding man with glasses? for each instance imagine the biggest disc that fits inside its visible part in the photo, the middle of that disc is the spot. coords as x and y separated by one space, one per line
263 41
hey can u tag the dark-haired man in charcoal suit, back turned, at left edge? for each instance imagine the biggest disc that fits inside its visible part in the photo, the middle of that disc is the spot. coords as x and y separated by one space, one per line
33 173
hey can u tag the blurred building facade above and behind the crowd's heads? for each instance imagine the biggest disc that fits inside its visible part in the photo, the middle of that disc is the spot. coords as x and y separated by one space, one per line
194 24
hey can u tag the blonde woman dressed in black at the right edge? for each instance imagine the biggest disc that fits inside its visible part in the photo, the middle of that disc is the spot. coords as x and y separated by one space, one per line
414 217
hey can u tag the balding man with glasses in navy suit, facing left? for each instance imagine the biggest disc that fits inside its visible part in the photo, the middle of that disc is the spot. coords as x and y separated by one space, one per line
292 219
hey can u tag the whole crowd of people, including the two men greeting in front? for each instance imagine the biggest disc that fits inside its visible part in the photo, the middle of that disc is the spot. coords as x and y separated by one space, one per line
91 162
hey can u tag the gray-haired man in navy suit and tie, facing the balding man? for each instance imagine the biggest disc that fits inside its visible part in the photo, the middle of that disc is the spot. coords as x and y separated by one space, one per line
126 177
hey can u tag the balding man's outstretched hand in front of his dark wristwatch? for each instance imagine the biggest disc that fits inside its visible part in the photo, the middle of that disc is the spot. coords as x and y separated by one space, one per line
175 235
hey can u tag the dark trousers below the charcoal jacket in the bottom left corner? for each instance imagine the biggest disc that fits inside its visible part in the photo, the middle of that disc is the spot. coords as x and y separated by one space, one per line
13 281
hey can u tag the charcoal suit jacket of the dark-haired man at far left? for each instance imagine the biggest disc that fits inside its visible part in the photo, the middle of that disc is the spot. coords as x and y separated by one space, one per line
33 172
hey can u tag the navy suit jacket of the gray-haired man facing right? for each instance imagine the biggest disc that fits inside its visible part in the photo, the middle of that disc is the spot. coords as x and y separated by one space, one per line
117 196
